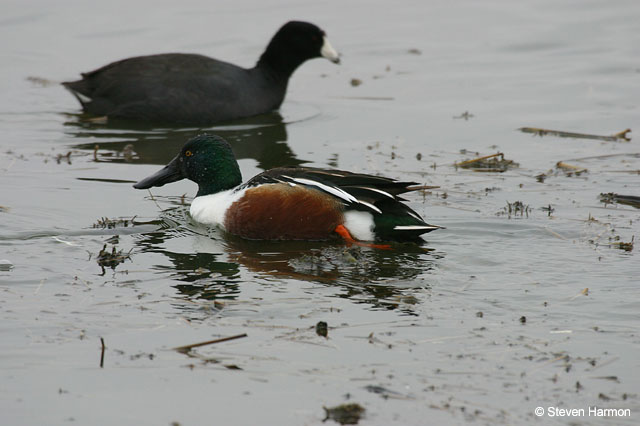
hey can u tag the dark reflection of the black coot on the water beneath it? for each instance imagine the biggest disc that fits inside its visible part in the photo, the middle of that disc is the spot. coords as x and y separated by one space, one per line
263 138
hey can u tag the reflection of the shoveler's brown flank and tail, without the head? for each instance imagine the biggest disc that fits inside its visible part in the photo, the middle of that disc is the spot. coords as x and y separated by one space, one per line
380 278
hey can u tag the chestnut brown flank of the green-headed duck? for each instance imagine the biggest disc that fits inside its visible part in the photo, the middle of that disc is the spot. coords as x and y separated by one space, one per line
284 212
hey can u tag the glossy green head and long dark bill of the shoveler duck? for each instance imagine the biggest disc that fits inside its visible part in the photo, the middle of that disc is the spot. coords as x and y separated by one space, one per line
207 160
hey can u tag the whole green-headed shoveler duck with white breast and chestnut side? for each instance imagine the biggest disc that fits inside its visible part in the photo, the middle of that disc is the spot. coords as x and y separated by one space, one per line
290 203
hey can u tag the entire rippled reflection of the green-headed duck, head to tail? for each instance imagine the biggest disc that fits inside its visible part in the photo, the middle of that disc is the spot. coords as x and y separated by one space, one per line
383 279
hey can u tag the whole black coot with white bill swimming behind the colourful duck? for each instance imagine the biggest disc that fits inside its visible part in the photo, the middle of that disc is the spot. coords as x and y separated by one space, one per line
196 89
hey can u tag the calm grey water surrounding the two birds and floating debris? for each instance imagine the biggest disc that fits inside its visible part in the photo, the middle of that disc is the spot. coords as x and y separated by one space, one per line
488 320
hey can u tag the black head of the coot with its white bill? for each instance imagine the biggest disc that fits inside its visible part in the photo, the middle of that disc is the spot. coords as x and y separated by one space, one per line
295 43
